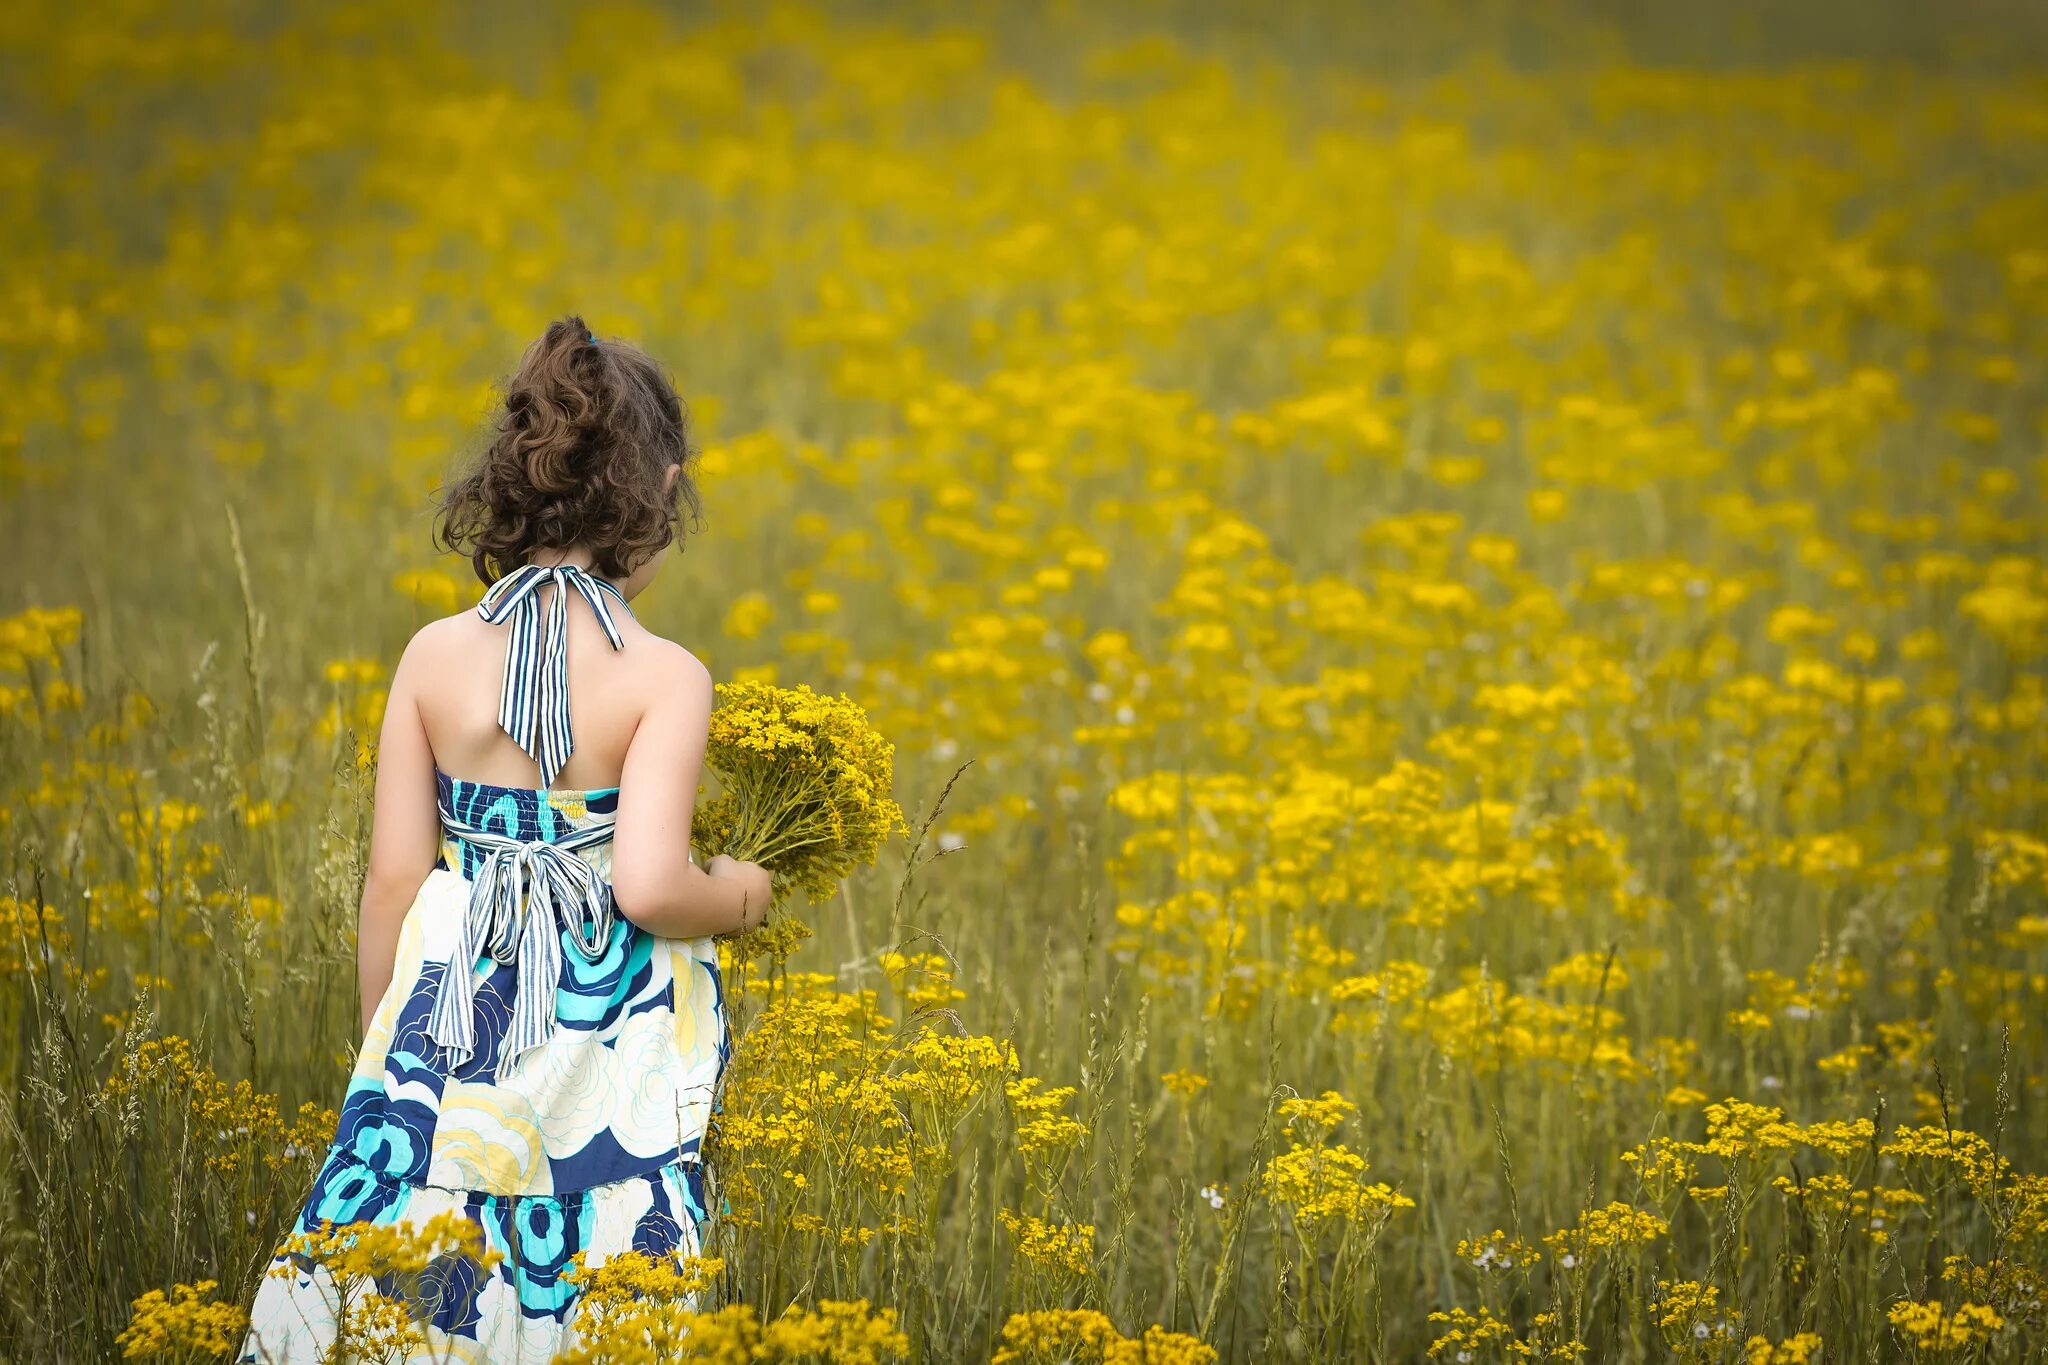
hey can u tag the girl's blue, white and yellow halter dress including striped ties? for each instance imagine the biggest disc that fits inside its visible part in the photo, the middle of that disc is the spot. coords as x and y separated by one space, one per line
540 1065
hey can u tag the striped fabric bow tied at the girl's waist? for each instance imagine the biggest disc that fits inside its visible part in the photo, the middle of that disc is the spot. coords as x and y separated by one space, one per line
519 901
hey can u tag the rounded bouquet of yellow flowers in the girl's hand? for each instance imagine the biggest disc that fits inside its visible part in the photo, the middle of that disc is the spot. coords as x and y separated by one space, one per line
806 787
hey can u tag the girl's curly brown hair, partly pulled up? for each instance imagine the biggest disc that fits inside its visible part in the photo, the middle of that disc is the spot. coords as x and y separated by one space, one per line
579 457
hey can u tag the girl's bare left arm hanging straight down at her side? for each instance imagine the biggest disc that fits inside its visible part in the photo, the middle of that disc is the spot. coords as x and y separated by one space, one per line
404 834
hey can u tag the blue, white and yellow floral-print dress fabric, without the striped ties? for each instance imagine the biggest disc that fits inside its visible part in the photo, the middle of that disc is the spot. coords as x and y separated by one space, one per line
589 1147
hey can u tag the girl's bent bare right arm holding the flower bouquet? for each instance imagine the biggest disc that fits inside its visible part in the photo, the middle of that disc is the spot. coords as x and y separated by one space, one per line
654 881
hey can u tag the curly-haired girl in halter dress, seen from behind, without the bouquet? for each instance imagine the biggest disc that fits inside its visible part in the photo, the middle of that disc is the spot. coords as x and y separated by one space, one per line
544 1022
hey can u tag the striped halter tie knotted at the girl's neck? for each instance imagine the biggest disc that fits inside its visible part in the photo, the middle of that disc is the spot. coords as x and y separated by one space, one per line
536 701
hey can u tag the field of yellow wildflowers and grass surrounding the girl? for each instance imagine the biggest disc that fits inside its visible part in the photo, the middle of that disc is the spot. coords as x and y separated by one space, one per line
1478 588
